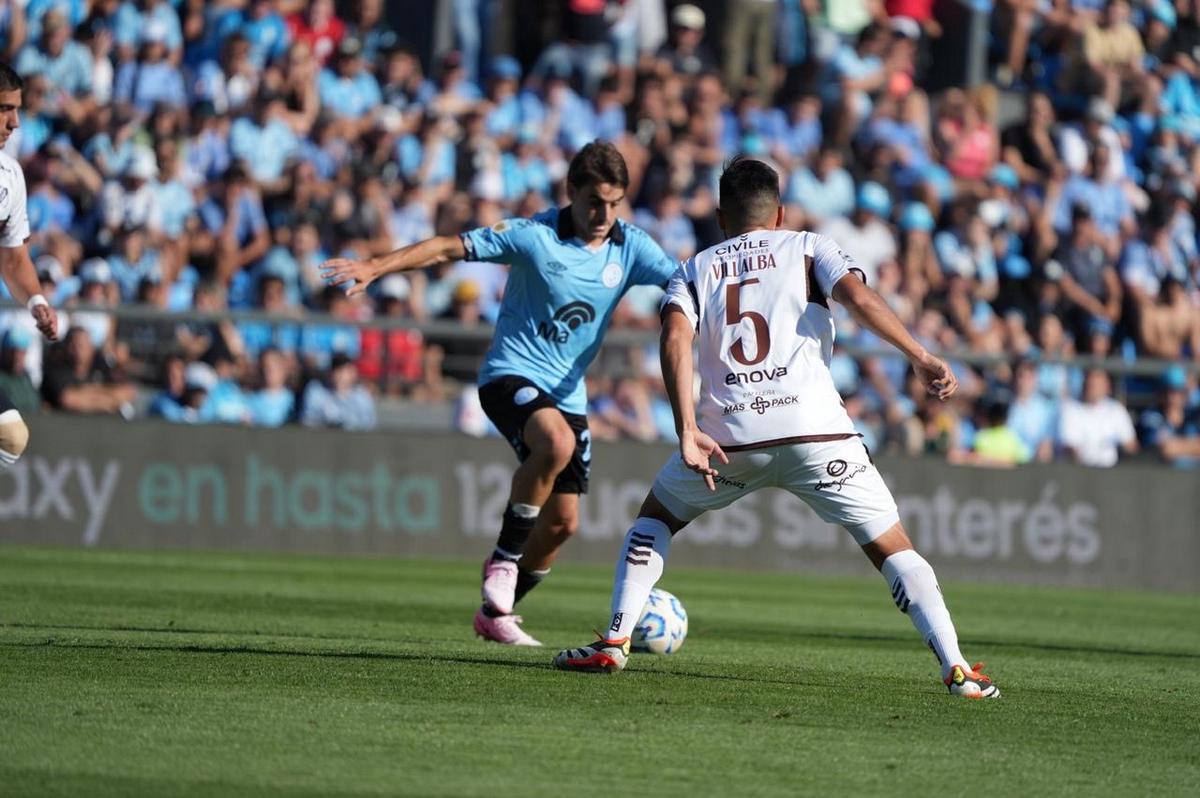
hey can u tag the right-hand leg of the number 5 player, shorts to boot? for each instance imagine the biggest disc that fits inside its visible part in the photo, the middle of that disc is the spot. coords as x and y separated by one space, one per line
841 483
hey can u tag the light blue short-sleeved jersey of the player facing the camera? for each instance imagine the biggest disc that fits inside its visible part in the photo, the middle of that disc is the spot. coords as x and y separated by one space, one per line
560 297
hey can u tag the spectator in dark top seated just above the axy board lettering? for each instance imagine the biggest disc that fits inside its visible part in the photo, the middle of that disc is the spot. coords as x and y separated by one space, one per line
79 380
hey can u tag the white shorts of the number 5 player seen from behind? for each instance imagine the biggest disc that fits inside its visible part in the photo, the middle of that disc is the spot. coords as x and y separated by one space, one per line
837 479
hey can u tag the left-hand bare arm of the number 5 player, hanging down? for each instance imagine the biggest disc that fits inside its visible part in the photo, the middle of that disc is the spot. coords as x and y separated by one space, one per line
675 349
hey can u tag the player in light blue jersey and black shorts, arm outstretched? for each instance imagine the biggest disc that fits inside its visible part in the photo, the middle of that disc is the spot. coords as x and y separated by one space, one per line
569 269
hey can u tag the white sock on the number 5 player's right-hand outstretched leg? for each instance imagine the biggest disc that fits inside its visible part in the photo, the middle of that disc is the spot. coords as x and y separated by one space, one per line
915 591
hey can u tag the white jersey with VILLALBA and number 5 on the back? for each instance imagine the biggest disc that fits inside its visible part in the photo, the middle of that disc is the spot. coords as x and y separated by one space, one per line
759 305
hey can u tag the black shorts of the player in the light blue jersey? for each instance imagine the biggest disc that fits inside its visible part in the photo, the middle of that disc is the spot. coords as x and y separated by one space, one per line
511 401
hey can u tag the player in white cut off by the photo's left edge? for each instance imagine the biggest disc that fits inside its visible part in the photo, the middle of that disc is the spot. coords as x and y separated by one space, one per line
16 267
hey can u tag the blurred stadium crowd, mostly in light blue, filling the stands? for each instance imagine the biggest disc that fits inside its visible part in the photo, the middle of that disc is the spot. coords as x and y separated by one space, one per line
209 157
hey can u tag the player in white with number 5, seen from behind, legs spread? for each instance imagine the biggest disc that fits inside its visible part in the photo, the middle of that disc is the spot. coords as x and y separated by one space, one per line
770 413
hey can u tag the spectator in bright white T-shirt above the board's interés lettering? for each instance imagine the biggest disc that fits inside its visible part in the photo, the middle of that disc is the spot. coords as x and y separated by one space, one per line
1094 431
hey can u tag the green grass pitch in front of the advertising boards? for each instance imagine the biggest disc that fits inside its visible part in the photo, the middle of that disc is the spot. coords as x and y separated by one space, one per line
219 675
